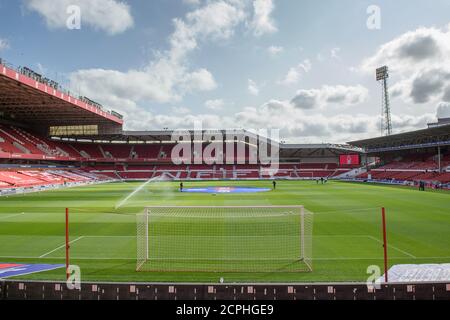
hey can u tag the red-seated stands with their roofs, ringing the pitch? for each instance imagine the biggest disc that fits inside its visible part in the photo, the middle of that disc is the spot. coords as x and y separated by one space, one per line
31 136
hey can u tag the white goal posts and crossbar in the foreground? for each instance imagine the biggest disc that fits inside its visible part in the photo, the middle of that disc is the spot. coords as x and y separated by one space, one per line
307 261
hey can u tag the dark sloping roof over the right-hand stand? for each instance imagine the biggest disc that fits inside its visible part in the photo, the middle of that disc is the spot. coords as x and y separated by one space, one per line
431 137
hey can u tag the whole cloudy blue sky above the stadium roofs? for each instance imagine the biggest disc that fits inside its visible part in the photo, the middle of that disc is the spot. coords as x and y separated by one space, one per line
305 67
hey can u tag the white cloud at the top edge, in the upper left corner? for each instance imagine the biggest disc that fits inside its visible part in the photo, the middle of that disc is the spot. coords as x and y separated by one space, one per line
111 16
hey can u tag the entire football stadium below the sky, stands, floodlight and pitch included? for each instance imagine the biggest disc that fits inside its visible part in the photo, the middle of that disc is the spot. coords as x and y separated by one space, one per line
92 210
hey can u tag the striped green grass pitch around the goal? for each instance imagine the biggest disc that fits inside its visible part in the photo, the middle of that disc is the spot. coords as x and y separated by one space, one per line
346 237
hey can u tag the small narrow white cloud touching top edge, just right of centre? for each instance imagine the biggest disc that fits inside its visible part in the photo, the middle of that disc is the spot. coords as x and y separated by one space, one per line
262 21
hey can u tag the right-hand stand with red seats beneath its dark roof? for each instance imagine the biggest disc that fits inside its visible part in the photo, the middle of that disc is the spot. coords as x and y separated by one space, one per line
412 157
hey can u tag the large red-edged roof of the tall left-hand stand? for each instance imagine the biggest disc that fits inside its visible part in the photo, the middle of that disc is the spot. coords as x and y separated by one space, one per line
27 97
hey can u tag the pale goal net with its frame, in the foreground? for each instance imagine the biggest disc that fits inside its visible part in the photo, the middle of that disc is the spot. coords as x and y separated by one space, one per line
225 239
